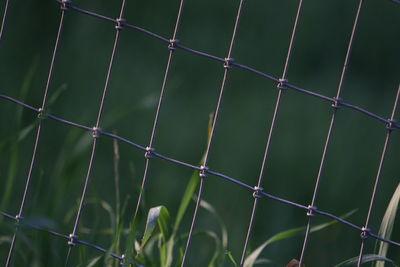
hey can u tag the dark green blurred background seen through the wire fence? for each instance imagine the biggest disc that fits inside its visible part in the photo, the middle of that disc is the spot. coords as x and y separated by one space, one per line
191 95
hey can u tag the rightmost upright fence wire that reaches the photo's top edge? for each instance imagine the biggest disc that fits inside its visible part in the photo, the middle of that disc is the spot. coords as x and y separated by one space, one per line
330 130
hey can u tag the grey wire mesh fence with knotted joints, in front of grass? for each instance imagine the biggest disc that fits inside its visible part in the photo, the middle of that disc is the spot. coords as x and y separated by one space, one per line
151 153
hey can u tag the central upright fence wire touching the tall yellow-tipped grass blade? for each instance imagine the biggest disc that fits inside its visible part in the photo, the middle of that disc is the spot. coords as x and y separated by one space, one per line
211 138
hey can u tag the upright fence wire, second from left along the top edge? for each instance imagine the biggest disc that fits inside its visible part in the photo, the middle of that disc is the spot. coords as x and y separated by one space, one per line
41 115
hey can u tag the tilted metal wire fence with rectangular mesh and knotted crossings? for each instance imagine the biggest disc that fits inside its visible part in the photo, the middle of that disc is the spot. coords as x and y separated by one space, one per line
282 84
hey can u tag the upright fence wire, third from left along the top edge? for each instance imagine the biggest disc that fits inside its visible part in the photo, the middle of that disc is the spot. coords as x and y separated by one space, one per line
73 235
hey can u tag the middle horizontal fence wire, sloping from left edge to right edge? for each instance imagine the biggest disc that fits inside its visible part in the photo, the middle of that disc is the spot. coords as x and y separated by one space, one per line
194 167
